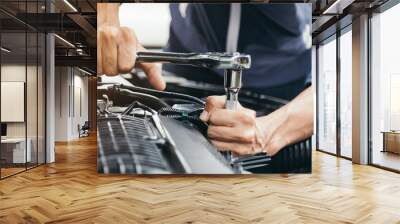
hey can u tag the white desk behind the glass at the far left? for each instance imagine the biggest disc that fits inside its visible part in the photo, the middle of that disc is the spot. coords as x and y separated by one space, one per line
13 150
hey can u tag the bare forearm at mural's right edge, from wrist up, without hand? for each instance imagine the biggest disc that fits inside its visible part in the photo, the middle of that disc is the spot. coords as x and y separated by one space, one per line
289 124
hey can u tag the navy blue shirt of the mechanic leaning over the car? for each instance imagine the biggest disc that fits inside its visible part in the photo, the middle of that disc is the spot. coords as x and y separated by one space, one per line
277 36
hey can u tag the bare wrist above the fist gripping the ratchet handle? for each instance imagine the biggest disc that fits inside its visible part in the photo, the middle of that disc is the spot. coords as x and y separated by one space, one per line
107 13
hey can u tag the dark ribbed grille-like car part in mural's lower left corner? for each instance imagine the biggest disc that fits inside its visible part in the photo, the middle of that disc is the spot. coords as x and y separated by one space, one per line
128 145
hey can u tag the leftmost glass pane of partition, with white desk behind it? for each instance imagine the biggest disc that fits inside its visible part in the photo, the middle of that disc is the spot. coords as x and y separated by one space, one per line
14 153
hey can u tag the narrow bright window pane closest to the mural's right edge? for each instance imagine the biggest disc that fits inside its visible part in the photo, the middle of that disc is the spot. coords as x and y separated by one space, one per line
327 96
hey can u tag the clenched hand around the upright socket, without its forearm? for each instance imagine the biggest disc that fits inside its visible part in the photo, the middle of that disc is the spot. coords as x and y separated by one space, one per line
237 131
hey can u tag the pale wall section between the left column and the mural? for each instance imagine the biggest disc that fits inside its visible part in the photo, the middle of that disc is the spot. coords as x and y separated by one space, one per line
70 83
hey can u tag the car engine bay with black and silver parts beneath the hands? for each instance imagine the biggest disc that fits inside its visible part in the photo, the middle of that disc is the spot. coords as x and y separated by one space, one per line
145 131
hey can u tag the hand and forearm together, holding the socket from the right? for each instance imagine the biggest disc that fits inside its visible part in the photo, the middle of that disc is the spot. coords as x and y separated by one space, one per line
243 133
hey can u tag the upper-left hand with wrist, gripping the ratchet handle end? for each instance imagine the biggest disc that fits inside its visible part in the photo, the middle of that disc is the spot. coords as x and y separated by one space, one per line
117 47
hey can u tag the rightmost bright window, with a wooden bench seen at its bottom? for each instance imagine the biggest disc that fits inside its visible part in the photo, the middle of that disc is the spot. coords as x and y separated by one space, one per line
385 88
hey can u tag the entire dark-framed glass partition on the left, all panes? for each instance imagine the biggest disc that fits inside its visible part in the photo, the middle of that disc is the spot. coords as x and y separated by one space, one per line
22 88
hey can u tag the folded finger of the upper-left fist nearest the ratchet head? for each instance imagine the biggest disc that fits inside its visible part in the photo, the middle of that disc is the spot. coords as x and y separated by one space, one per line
126 50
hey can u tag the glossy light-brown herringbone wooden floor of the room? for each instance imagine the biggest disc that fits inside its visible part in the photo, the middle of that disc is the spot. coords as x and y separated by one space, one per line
70 191
